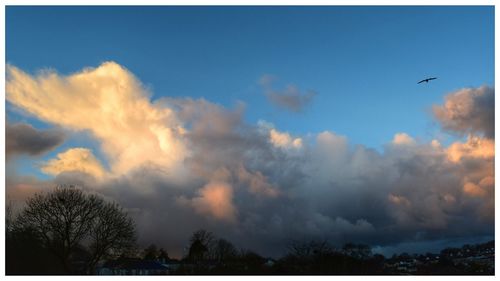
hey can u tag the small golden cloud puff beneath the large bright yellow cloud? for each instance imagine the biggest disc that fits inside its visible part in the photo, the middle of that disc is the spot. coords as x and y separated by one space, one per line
75 160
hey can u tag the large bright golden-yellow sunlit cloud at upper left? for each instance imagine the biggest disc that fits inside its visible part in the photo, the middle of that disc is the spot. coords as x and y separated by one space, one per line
109 102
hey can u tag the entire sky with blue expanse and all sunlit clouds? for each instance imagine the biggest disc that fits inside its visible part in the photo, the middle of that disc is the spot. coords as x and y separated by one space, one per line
260 123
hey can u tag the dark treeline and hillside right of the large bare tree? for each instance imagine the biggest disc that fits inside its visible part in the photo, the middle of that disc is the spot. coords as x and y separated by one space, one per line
209 255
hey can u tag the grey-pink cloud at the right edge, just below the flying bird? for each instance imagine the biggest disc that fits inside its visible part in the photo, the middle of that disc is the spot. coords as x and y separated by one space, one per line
468 111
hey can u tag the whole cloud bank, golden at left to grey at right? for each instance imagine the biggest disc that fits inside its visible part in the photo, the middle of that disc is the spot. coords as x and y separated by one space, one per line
181 164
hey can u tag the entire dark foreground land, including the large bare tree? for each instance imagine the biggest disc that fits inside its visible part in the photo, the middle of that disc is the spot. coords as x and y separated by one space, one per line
70 232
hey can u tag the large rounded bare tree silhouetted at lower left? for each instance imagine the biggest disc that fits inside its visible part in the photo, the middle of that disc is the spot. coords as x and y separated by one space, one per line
67 219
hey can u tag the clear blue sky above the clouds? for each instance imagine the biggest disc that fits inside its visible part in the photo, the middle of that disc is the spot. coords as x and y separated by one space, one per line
363 62
